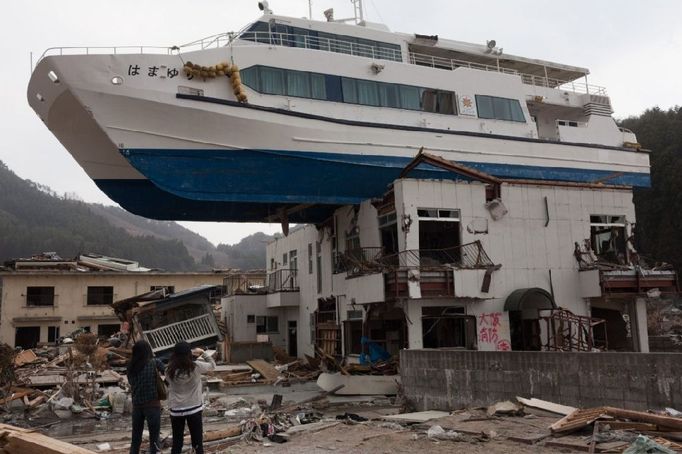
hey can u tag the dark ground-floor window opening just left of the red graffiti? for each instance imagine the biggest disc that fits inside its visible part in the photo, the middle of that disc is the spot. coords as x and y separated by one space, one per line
447 327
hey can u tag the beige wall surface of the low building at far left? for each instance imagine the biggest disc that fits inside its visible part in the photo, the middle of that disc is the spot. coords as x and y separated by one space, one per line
70 310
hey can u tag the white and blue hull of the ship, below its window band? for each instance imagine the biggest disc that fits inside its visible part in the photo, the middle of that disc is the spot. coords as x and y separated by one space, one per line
164 153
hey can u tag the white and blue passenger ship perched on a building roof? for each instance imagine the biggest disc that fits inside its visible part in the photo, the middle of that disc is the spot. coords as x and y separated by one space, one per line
290 118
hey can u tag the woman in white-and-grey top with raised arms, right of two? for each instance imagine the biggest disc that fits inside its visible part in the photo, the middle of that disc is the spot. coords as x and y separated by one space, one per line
185 400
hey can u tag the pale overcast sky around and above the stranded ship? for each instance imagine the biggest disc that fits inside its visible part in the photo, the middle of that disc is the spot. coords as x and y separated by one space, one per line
632 47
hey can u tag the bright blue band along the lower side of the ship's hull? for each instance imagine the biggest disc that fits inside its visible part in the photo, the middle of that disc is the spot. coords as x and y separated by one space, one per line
276 176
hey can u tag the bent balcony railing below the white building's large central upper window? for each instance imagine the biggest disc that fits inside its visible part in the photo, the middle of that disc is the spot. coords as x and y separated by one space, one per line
470 255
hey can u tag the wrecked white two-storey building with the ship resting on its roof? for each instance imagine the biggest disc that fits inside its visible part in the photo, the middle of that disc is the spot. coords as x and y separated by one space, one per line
467 262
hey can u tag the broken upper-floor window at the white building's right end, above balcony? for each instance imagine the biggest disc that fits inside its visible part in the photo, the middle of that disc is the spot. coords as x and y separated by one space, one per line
607 237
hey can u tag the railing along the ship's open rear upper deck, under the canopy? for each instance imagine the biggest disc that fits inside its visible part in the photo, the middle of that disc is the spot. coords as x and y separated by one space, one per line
528 79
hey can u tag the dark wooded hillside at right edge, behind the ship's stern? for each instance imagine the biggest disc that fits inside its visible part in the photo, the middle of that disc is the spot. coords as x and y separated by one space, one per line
659 208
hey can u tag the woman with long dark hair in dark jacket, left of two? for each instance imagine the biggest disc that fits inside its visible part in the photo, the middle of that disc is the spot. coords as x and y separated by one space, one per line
142 371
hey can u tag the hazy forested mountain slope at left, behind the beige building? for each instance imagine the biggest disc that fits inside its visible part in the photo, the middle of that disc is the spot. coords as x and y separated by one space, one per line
34 219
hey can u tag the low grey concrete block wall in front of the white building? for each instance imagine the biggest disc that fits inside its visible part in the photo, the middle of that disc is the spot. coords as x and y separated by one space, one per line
445 380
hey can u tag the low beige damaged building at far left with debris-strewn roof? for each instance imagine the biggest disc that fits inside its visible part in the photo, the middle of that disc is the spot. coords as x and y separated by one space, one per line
46 297
